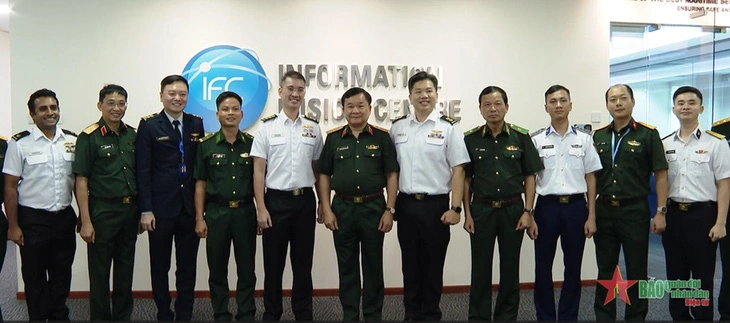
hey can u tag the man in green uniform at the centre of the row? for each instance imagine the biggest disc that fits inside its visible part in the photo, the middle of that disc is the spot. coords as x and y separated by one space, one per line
357 161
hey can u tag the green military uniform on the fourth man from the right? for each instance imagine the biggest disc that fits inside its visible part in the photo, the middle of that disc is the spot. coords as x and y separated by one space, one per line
497 171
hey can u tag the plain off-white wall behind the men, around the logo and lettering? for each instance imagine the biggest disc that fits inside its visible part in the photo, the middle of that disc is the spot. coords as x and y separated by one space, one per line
74 47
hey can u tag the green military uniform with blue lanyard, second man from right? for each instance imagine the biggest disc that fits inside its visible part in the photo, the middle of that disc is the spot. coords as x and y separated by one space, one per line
628 156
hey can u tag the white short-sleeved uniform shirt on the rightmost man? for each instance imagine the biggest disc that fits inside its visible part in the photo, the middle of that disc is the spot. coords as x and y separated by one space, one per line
695 166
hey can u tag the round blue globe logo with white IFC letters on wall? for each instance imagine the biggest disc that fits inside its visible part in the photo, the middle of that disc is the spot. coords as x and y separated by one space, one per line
226 68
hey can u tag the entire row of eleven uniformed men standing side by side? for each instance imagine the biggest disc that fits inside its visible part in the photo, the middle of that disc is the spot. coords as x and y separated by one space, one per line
172 180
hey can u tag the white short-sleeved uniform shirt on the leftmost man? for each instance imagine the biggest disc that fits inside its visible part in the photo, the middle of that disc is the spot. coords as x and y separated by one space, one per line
44 166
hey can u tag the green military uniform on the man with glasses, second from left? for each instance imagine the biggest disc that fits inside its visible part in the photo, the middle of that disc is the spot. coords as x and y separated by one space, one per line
107 160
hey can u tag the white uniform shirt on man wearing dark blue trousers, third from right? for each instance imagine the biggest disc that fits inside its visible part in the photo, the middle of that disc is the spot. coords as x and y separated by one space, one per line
567 160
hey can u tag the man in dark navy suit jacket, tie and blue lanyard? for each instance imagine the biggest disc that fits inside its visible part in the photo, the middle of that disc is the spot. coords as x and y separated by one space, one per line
166 145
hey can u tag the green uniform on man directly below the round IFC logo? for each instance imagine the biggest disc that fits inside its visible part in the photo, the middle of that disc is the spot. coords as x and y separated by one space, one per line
230 215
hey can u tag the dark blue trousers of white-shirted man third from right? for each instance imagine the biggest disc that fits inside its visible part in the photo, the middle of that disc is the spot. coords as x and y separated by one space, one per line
564 220
